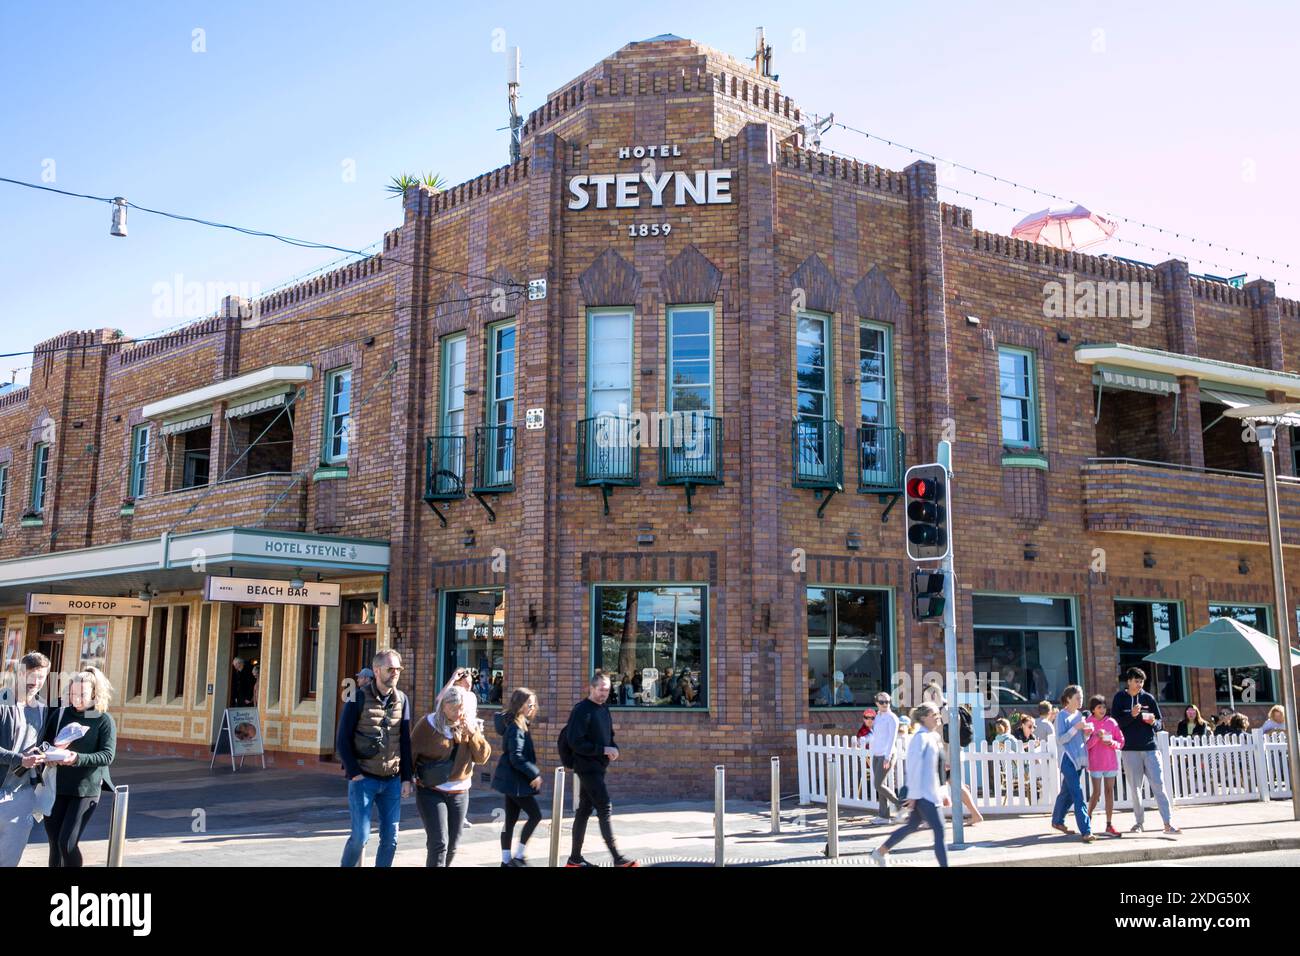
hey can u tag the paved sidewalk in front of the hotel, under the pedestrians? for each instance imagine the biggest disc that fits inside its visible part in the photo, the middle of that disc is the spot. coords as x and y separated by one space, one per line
298 819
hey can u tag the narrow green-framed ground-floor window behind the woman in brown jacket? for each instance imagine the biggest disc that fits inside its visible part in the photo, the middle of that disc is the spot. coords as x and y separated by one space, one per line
474 637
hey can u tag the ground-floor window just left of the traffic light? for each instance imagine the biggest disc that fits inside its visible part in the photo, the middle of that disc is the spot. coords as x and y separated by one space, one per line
851 655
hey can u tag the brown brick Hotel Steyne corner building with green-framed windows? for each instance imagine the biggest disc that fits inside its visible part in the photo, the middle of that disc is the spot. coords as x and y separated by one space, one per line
682 458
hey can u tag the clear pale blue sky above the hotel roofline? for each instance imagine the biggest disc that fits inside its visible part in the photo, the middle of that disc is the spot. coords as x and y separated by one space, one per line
1178 115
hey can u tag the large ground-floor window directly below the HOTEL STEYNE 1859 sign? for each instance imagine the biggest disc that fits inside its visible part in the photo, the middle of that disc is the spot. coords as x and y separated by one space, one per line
653 642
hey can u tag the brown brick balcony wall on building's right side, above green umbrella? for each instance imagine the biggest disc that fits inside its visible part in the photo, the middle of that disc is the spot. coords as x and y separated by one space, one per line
1142 498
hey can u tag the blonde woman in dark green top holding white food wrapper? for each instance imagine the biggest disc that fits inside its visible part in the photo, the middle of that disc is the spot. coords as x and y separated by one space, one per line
84 767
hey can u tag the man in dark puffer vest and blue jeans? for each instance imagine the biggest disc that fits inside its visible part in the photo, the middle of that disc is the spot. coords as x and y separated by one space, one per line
374 746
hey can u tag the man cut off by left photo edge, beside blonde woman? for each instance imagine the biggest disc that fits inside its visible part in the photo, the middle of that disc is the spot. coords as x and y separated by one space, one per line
23 715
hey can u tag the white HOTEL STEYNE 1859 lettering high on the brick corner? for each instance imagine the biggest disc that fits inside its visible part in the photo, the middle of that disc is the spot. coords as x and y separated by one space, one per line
651 188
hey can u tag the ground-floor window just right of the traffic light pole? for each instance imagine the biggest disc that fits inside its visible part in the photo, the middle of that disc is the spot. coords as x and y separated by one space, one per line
1028 644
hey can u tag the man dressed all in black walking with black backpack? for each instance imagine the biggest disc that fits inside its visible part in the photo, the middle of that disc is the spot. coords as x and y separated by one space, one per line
591 736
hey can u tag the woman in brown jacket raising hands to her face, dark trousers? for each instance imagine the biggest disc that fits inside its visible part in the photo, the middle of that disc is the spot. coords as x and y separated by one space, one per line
447 746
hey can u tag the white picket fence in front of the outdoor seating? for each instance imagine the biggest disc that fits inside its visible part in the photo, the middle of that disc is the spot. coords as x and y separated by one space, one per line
1198 771
